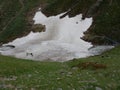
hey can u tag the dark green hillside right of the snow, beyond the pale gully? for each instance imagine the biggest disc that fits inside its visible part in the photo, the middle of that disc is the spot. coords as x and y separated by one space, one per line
106 23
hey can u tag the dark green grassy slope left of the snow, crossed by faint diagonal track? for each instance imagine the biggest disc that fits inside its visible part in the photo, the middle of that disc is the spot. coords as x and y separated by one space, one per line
14 17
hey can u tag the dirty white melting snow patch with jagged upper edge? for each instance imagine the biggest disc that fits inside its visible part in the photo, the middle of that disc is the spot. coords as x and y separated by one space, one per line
60 42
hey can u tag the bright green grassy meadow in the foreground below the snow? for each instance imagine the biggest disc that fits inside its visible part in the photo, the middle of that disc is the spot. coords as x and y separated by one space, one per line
27 74
